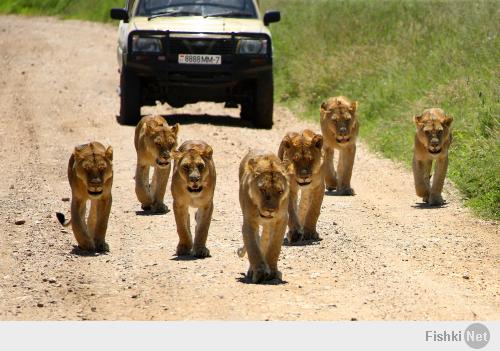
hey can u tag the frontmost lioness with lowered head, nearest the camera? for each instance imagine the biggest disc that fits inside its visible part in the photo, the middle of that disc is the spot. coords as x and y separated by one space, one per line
264 190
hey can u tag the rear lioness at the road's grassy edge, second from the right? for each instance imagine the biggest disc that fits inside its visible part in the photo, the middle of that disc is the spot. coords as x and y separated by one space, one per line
340 128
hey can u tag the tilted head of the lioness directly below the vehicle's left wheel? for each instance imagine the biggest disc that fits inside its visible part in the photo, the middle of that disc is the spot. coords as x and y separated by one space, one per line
161 140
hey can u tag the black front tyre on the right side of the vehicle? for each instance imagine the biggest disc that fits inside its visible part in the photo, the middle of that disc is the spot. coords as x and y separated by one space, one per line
259 108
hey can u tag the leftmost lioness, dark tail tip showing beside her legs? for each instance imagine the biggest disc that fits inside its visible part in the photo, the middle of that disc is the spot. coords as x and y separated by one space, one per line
90 174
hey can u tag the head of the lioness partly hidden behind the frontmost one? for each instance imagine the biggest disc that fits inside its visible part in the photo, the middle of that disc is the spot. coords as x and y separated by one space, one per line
304 152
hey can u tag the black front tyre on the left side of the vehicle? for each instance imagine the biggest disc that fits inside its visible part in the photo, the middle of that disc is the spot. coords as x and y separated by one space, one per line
130 98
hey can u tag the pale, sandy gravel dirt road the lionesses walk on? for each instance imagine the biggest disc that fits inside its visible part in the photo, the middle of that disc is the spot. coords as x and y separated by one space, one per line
383 256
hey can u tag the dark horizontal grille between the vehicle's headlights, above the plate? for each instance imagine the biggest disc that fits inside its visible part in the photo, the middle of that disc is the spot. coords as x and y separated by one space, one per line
201 46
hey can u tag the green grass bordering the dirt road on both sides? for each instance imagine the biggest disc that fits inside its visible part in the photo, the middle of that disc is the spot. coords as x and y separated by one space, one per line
395 57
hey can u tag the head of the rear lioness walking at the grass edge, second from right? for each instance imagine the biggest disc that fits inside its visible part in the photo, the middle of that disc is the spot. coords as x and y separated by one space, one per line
339 115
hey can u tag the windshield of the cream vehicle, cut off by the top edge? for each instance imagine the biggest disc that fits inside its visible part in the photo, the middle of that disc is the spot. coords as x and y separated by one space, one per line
206 8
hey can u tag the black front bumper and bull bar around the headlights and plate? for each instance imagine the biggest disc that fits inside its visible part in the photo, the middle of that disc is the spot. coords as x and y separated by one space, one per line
164 69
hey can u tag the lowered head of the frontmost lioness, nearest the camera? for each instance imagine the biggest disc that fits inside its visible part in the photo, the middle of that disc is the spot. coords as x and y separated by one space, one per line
268 185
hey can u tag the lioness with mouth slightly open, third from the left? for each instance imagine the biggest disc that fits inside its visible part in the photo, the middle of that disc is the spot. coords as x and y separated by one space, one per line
193 184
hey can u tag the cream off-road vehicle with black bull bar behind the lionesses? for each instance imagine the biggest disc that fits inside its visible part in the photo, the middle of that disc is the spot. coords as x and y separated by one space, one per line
185 51
